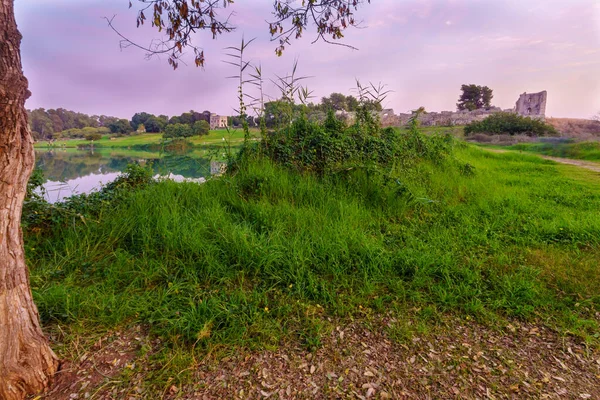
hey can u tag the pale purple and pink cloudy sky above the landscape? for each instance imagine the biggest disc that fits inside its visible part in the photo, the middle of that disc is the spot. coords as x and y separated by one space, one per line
422 49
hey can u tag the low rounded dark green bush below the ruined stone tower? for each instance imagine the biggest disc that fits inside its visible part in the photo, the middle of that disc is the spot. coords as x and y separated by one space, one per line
512 124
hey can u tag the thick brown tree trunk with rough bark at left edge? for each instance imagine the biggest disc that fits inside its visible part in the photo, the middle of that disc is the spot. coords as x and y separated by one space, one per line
26 361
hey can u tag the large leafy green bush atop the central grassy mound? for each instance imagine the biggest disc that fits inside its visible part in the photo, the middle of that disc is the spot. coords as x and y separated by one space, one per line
331 146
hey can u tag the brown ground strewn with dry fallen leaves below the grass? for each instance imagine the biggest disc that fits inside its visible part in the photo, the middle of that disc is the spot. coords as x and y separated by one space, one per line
459 359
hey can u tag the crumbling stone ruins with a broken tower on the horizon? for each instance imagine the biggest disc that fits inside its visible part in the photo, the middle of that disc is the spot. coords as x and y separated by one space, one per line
531 105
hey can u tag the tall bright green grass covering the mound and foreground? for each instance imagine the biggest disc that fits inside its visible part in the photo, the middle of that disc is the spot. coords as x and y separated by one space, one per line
266 254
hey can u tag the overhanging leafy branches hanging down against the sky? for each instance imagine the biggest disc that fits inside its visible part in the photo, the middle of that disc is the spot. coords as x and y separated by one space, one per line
180 19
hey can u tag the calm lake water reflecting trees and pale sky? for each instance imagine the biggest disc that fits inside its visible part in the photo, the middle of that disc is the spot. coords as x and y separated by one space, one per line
72 171
